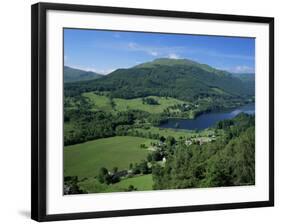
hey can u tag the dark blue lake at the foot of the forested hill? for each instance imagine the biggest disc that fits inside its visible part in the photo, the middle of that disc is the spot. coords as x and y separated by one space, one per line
207 120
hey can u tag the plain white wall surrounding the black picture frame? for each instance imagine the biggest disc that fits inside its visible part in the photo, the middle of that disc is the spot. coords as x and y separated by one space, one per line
15 110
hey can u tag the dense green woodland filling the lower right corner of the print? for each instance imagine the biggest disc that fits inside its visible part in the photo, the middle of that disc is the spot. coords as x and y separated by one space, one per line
229 161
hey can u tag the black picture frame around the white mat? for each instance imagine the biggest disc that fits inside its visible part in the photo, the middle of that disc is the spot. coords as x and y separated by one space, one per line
39 123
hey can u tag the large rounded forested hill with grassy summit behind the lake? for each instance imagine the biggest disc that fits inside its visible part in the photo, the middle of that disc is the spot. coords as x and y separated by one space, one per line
179 78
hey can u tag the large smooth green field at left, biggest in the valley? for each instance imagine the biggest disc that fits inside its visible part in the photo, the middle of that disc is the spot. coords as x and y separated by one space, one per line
85 160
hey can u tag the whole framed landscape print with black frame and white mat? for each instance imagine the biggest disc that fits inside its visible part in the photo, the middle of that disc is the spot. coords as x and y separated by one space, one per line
139 111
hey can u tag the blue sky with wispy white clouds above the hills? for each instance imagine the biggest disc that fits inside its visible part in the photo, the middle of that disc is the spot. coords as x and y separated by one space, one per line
105 51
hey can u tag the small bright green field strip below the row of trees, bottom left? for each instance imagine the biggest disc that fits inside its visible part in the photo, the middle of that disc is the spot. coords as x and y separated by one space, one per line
142 183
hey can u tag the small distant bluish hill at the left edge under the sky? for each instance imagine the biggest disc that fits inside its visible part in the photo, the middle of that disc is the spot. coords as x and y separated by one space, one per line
74 75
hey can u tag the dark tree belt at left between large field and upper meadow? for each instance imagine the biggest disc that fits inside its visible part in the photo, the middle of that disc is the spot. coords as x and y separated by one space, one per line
83 124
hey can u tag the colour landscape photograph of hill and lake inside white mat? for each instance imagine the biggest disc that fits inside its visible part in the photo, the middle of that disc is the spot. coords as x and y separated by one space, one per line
148 111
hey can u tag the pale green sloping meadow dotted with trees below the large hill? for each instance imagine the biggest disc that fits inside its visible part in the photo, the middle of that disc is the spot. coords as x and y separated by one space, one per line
101 102
